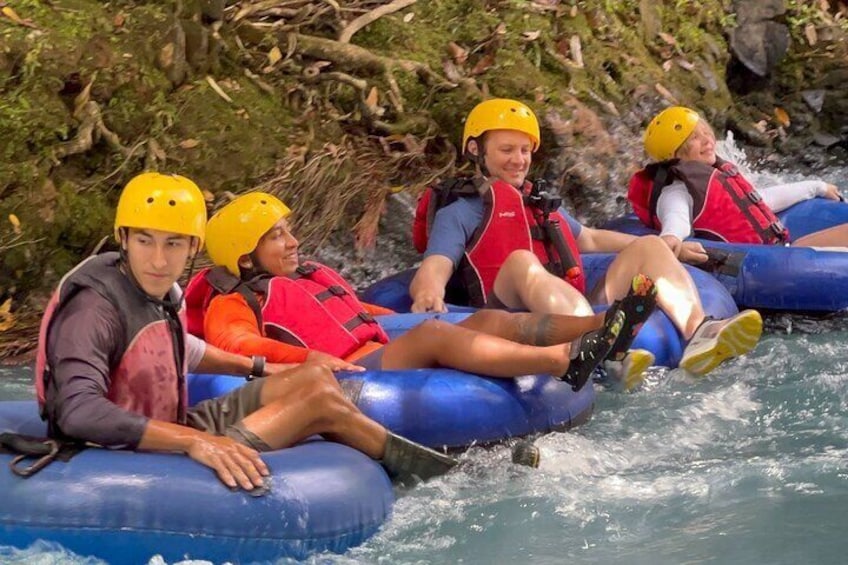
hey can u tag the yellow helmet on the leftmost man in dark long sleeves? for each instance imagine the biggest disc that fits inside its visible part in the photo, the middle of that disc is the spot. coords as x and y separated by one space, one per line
162 202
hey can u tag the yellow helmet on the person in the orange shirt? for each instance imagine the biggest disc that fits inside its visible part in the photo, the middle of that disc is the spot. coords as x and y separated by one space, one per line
236 229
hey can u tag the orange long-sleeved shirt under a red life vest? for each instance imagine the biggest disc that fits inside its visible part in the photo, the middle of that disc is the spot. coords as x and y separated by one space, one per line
231 325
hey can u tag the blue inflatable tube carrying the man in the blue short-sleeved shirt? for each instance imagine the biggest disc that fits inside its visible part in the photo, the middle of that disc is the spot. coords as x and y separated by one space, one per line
657 335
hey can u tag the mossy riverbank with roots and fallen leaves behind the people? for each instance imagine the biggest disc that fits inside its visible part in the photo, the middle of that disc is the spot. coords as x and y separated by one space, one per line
335 141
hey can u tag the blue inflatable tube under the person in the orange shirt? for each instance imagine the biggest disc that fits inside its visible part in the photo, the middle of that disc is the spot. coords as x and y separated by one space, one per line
446 408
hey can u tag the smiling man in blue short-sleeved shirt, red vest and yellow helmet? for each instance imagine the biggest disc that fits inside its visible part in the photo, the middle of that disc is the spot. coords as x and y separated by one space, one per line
500 137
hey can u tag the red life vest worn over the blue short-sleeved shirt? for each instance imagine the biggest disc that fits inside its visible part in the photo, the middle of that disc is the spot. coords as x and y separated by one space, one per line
511 221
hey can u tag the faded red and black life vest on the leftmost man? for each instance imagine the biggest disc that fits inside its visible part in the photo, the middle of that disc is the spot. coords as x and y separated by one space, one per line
149 378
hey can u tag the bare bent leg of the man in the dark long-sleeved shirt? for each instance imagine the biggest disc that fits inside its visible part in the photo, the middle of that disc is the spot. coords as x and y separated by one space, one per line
307 402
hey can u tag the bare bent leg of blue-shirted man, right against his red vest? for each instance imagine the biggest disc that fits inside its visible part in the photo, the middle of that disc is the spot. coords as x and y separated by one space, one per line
523 283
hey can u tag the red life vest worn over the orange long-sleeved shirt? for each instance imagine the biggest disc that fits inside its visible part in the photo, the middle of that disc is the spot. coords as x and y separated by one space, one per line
313 308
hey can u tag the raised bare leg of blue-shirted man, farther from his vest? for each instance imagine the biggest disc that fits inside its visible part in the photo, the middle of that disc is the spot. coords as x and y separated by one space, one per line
676 292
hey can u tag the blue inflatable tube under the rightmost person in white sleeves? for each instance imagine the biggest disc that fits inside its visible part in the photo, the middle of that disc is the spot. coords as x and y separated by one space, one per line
776 277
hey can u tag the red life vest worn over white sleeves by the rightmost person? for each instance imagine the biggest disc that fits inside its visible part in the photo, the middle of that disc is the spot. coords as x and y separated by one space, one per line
725 205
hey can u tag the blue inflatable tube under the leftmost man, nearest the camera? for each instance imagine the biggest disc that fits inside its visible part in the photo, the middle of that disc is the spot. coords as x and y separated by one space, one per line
126 507
